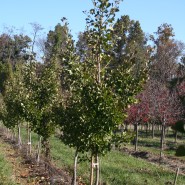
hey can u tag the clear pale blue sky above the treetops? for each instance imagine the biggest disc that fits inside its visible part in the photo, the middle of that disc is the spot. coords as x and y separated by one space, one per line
47 13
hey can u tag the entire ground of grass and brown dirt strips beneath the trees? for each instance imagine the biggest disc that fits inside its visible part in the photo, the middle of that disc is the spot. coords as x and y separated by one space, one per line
120 166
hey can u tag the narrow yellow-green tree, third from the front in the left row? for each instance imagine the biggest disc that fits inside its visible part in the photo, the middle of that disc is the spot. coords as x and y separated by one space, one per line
13 102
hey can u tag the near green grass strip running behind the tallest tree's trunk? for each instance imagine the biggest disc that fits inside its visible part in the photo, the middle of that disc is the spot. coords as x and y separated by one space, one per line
116 168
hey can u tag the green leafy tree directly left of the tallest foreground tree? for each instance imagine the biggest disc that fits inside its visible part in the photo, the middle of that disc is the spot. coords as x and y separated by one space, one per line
42 91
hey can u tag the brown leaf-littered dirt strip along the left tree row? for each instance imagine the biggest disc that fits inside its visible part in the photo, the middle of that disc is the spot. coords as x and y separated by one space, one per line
25 169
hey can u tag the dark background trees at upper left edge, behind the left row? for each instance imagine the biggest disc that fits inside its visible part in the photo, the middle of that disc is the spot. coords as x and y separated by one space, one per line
13 50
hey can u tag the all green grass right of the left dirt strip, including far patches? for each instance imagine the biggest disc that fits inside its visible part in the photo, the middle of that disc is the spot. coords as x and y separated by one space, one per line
117 168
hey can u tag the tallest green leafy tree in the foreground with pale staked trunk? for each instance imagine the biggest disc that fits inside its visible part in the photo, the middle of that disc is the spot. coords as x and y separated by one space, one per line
100 87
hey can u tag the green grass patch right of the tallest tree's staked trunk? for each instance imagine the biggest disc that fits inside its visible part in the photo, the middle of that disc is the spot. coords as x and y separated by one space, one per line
124 169
